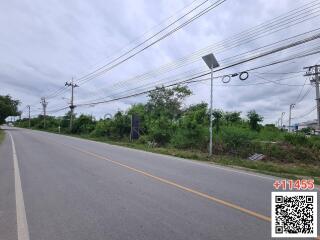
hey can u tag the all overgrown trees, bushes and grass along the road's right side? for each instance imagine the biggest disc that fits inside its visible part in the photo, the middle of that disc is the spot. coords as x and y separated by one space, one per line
167 126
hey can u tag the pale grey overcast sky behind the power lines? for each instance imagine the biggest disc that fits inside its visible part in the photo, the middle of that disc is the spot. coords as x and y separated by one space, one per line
43 44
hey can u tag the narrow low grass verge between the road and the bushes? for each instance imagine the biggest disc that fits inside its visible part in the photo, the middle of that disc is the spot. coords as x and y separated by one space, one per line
278 169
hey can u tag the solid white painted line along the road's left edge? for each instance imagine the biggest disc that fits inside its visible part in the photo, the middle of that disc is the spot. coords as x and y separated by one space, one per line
22 225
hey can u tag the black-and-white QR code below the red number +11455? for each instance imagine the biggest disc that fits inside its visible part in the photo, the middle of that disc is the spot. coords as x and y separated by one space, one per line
294 214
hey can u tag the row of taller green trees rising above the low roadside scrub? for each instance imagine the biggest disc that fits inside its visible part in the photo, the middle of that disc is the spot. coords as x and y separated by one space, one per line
164 120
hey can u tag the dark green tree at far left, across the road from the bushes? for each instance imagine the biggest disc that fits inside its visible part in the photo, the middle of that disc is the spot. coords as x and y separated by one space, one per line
8 107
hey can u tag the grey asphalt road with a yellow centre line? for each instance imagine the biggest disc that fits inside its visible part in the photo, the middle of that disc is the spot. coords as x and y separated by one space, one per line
77 189
